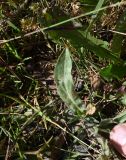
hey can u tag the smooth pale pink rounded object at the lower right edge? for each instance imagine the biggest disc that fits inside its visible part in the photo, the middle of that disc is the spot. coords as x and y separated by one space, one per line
118 138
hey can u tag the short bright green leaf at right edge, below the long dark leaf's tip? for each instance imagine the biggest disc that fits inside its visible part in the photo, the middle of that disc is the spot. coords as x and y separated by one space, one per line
117 71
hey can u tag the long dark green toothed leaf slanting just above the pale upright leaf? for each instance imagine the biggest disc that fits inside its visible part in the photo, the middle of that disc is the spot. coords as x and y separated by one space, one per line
79 39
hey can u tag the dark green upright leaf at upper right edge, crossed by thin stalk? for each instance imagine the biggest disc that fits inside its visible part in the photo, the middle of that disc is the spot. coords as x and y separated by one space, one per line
118 38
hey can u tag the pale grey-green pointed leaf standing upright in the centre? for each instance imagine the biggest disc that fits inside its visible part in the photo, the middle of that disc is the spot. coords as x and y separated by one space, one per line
64 82
